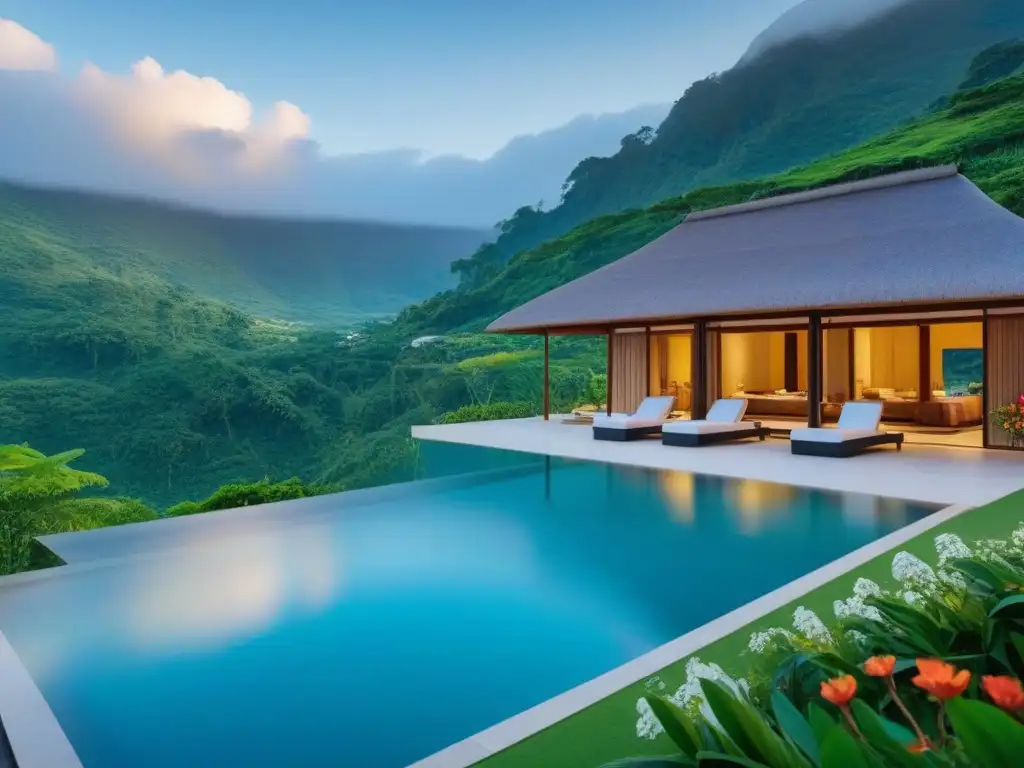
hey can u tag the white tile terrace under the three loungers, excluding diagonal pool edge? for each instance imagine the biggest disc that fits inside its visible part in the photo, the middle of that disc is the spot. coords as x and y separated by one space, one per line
925 474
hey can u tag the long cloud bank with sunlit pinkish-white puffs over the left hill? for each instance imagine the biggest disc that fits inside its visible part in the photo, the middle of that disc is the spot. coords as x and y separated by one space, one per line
189 139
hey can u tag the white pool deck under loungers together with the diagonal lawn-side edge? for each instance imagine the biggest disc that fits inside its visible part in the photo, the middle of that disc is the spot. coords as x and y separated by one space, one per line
960 478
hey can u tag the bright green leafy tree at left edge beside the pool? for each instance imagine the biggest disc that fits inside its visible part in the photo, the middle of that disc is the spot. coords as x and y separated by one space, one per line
31 485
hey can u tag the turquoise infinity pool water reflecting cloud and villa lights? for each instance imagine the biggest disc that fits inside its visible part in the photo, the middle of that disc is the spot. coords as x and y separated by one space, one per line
374 635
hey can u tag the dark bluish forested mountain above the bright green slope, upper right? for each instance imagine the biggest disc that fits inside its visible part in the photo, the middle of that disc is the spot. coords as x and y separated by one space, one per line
795 103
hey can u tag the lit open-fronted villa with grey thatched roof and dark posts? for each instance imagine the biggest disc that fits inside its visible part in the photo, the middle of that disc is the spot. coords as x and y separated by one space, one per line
906 289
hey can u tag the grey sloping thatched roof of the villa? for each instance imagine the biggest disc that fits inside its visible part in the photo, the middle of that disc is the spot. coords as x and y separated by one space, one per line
919 237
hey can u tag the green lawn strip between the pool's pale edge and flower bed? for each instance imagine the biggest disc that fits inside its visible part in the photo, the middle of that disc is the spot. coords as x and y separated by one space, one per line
606 731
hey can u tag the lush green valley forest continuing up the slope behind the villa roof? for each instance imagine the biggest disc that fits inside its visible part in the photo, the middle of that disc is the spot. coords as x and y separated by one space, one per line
174 394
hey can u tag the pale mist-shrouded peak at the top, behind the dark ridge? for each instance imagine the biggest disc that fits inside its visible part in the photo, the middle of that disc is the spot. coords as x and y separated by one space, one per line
817 19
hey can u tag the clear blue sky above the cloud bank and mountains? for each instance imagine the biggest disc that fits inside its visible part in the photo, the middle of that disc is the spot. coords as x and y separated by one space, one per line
444 76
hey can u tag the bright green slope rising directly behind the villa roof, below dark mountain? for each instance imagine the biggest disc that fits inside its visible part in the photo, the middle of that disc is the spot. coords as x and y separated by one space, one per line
982 129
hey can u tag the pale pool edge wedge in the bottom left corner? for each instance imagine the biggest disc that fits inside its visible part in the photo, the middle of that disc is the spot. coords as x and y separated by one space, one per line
36 738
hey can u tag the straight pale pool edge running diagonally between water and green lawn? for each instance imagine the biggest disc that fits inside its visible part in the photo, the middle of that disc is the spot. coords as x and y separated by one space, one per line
518 729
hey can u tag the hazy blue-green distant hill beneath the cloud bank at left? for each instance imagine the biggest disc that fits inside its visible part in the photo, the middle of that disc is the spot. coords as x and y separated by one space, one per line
329 273
